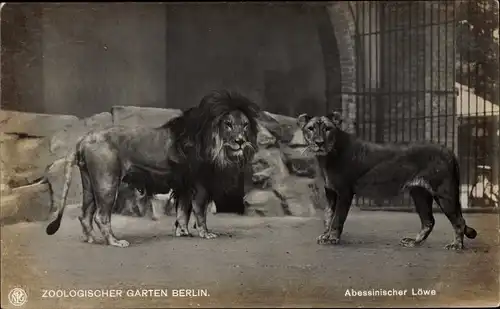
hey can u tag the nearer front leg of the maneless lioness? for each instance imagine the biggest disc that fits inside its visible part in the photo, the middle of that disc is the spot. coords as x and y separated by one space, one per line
336 226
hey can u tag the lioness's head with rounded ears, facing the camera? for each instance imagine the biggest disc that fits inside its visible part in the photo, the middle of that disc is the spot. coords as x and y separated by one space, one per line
320 131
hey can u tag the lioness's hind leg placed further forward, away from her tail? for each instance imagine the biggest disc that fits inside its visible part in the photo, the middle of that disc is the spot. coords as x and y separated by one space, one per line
423 204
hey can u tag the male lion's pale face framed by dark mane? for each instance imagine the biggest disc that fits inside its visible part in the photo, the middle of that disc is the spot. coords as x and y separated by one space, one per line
236 137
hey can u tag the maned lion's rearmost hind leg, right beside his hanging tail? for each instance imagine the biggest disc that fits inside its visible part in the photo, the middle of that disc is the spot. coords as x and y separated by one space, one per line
88 206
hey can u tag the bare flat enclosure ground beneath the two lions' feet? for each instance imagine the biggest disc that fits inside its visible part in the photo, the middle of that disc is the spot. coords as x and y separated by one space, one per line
255 262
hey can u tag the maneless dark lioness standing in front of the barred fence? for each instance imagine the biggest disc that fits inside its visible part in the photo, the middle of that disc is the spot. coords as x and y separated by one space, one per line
351 166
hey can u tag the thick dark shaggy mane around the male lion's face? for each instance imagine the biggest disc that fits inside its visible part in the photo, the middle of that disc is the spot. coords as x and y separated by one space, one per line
196 135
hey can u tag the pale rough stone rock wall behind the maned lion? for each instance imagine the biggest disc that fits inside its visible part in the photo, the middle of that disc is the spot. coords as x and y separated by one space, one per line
282 180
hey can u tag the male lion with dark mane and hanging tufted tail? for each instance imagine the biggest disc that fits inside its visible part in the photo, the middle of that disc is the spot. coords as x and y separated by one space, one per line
194 154
